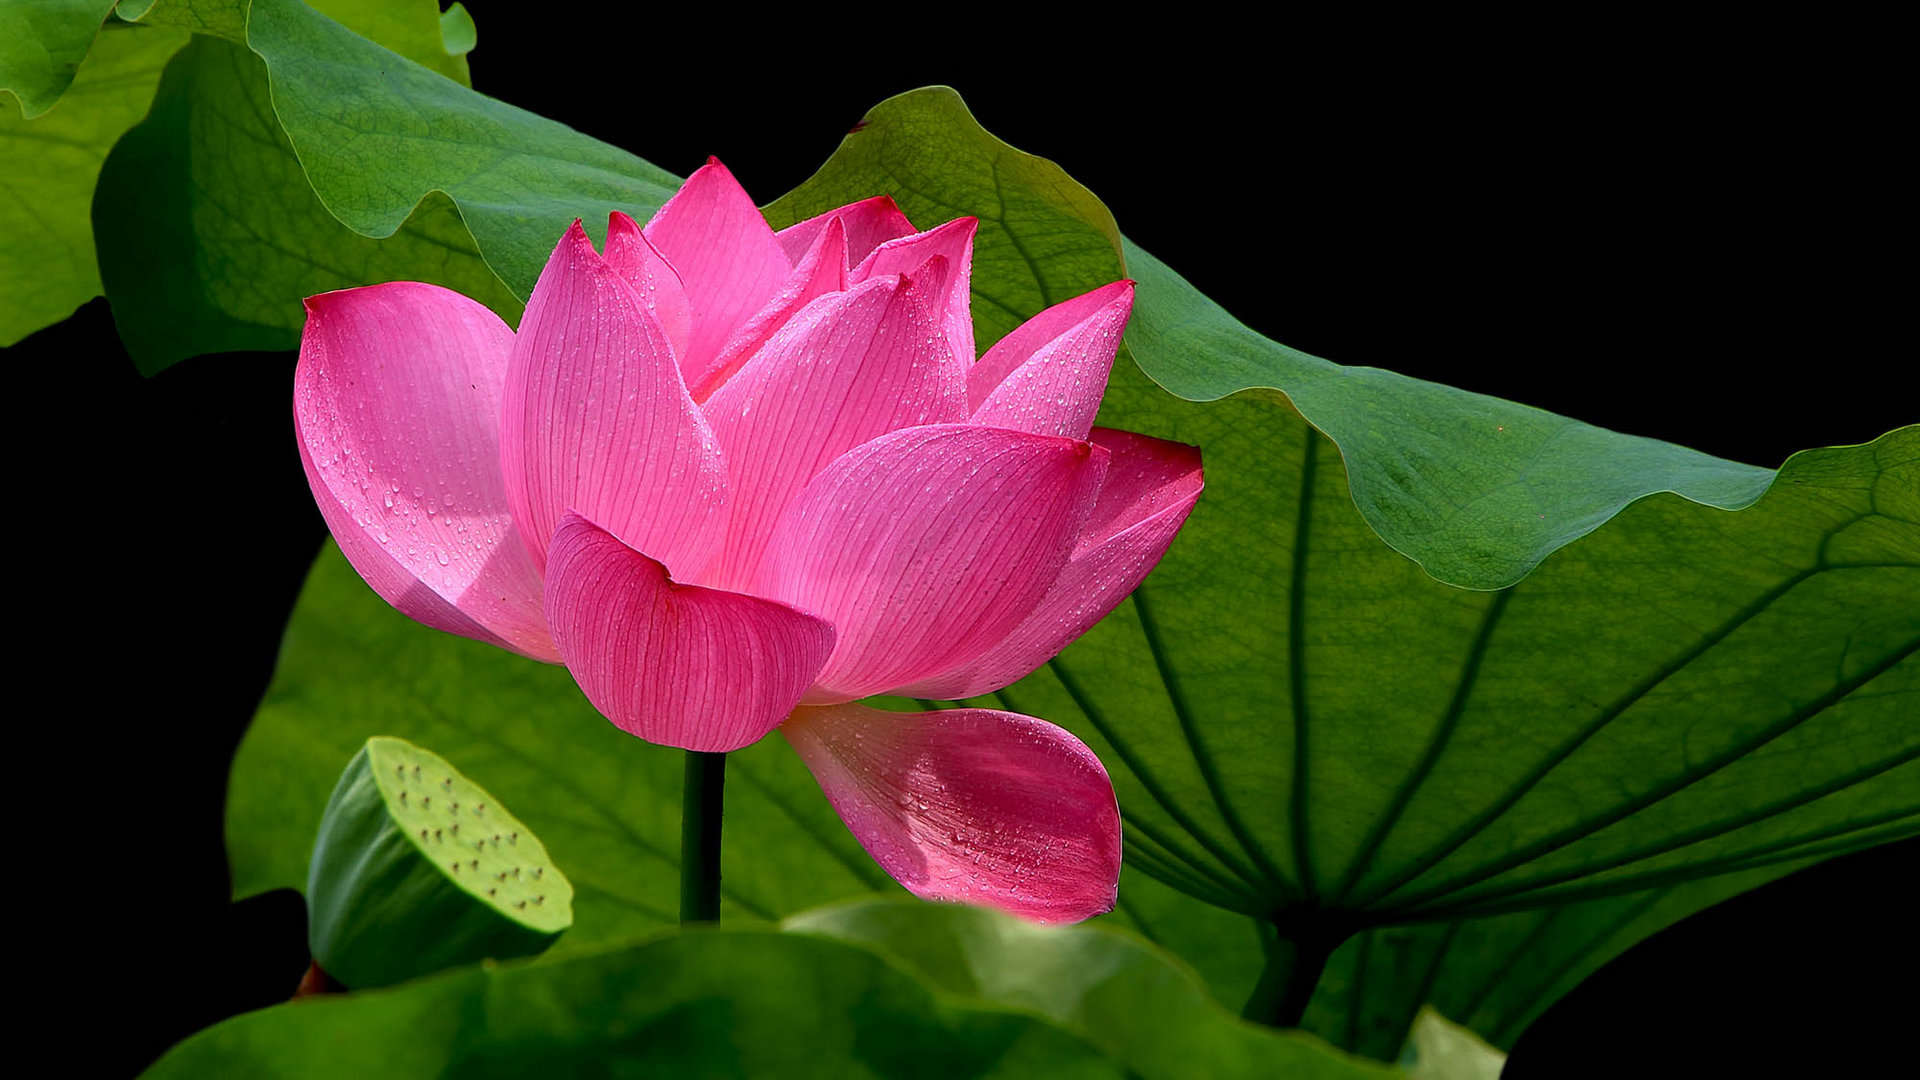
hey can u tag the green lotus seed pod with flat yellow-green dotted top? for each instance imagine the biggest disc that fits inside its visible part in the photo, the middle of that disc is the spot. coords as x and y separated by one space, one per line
418 870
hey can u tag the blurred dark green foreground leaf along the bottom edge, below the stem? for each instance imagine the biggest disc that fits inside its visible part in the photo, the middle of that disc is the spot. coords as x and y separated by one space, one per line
702 1004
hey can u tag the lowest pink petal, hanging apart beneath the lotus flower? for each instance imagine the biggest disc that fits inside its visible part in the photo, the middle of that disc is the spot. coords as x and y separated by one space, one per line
971 806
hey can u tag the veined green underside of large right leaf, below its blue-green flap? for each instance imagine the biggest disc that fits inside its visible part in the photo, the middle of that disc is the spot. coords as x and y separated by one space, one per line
1679 695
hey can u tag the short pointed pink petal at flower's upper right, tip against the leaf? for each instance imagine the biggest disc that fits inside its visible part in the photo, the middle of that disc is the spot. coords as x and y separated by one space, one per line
1057 387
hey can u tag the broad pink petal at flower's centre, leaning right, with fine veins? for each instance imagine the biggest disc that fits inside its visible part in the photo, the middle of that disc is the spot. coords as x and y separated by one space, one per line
848 370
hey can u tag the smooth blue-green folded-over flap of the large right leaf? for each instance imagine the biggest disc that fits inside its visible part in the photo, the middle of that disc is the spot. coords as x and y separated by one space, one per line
1474 489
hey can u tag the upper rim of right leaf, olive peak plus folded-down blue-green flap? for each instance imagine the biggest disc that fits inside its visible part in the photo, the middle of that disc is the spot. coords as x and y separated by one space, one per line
1476 489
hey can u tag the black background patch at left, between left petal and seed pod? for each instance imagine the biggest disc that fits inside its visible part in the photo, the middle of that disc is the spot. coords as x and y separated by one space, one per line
176 531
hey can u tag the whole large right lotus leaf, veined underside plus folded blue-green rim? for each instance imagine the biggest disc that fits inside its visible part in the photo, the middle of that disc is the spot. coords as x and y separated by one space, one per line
1310 731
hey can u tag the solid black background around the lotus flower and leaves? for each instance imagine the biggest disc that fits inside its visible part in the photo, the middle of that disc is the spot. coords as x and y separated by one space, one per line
1683 232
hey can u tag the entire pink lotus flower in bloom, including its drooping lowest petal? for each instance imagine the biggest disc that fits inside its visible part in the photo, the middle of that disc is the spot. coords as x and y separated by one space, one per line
740 479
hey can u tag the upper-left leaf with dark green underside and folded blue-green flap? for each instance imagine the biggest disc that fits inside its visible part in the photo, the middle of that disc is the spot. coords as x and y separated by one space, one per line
316 159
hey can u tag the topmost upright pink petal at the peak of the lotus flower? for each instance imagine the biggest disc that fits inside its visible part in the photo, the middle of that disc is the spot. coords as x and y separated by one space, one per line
725 253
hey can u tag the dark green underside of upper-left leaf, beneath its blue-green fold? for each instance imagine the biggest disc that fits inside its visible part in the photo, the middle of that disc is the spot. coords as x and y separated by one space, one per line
208 182
